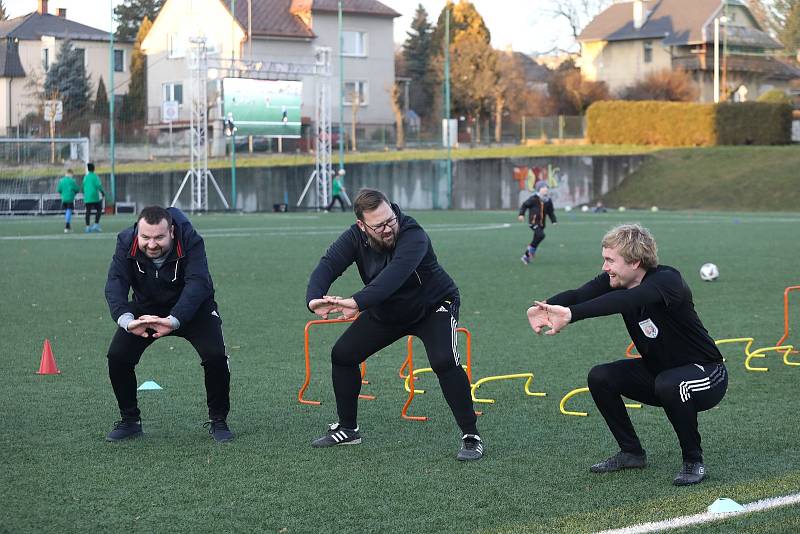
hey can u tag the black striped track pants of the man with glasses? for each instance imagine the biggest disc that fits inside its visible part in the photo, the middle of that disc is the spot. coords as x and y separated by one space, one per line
366 336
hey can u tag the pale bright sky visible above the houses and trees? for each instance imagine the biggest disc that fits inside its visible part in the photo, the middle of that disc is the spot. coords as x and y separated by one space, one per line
525 25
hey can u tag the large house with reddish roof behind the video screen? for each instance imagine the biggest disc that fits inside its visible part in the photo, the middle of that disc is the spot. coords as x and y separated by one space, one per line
262 31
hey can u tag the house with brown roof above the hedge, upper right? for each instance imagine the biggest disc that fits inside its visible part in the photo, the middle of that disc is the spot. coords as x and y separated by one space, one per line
630 40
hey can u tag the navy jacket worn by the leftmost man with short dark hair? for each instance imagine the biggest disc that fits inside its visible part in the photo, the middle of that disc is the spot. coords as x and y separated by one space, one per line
180 287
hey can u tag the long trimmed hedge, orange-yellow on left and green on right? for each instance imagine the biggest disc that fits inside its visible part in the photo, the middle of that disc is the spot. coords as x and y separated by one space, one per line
688 124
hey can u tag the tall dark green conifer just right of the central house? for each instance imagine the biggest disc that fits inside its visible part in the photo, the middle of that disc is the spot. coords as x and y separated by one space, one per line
417 55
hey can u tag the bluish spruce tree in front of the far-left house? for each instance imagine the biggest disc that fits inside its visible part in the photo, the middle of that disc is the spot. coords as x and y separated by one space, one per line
67 80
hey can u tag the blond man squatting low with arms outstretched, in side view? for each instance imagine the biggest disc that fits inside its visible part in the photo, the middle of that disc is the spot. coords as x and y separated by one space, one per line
680 368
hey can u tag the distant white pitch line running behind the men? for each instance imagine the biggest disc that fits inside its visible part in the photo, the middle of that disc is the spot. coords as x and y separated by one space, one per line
268 232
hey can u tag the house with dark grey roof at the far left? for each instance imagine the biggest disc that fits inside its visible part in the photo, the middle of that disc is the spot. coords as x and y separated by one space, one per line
29 45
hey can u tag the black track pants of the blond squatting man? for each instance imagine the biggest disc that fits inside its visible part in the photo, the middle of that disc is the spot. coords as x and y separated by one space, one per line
682 392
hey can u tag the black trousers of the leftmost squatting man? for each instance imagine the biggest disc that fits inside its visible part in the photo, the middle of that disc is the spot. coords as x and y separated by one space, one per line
204 332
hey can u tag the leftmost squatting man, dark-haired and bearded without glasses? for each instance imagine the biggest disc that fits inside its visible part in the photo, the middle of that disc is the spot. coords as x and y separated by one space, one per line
163 260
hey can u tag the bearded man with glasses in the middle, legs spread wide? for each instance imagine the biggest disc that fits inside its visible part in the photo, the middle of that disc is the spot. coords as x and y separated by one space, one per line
406 292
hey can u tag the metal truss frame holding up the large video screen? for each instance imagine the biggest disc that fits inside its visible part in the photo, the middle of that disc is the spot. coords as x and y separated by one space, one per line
319 69
